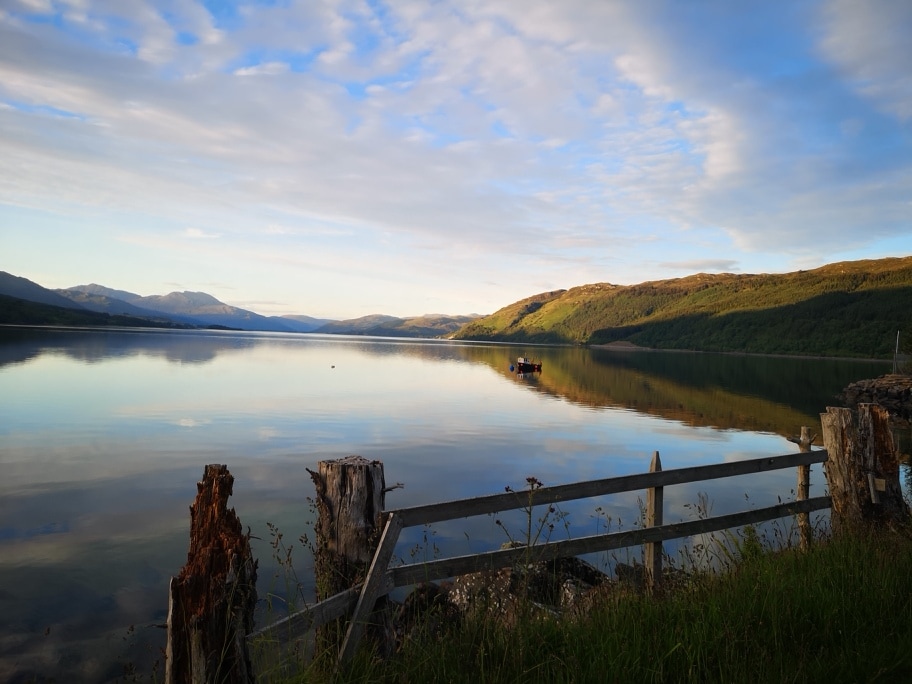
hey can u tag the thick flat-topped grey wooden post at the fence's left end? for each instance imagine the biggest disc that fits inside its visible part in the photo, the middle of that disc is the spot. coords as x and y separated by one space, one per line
350 500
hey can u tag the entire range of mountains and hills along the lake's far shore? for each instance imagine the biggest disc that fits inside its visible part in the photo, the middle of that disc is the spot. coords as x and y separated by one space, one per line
849 308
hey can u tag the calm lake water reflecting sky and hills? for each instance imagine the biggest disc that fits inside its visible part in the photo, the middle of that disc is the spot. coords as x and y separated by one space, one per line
105 434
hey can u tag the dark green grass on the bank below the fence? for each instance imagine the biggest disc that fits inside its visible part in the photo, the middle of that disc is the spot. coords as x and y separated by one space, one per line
840 612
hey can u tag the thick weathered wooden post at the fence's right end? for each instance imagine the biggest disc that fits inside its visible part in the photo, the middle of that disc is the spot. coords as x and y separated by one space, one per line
862 467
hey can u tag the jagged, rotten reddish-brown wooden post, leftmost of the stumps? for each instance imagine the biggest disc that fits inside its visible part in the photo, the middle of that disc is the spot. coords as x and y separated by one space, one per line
211 603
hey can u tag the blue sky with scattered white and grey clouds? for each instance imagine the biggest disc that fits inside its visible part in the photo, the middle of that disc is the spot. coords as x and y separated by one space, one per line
342 158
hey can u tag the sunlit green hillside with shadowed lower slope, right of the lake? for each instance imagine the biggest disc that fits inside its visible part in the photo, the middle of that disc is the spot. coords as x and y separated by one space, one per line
843 309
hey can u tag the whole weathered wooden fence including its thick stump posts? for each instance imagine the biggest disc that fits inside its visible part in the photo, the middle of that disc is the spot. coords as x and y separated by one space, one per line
210 614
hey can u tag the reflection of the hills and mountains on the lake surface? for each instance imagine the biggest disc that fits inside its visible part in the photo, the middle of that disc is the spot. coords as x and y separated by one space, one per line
716 390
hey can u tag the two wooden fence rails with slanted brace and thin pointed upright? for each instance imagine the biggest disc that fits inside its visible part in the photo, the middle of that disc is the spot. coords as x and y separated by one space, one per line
381 579
